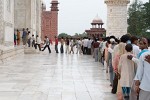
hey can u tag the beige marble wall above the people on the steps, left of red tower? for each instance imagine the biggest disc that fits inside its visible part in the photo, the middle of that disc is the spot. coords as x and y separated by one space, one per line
28 15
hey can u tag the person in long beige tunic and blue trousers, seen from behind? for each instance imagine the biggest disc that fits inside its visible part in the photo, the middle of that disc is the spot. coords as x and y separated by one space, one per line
126 71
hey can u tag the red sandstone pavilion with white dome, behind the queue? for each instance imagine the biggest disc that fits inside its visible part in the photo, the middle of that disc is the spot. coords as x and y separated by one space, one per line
97 29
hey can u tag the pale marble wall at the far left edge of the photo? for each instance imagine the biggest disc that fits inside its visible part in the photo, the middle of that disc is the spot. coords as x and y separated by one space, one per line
6 24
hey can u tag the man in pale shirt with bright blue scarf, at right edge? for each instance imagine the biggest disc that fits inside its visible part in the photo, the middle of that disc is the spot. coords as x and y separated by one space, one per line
142 78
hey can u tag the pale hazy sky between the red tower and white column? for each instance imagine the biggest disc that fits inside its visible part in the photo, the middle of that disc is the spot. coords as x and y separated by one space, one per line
75 16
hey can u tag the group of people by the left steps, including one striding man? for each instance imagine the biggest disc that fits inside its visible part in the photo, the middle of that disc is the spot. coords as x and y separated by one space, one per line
30 40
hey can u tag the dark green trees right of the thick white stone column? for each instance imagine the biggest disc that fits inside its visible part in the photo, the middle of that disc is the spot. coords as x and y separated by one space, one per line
138 19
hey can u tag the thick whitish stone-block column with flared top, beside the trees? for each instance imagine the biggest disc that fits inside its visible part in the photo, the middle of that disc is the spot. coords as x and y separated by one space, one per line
116 17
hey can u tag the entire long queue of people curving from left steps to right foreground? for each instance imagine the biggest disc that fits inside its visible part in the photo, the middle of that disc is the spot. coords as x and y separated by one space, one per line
126 60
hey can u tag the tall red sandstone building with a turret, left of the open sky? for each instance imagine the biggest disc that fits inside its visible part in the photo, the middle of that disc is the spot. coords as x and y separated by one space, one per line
50 20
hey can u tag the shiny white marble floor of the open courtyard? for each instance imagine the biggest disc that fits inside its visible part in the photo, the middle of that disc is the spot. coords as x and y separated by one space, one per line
54 77
